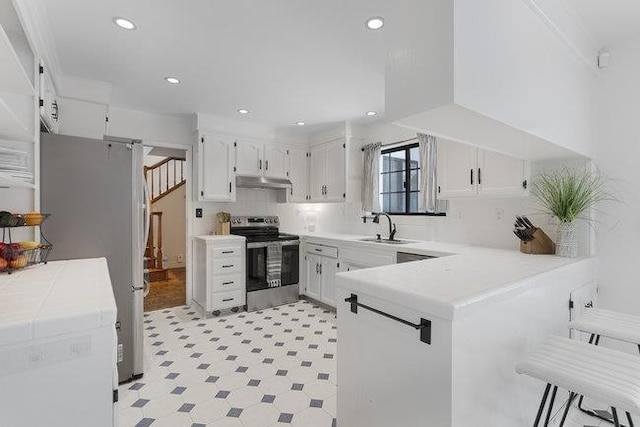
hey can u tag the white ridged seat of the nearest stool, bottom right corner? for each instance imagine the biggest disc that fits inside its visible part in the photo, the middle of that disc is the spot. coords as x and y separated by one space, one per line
609 376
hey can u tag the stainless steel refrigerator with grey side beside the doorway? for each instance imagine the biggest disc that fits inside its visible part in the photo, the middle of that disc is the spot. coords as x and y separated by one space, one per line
93 190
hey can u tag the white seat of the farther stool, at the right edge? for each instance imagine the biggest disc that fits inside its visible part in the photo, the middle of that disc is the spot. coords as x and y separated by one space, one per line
620 326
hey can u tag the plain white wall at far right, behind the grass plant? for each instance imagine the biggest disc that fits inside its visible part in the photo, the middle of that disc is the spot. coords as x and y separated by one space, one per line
617 155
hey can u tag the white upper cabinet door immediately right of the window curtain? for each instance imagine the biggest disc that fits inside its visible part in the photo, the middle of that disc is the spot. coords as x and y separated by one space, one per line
457 175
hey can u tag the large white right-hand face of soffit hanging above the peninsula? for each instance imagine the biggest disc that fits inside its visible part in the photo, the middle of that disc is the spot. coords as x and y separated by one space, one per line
513 64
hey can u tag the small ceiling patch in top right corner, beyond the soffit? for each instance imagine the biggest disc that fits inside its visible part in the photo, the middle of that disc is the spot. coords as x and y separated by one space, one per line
610 21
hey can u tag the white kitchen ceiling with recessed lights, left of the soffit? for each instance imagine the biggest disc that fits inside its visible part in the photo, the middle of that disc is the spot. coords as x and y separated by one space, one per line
284 60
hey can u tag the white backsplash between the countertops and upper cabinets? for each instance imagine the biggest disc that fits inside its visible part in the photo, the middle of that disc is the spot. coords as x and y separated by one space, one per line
484 222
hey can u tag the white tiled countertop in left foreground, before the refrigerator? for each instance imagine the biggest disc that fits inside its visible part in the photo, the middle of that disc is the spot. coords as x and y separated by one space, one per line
55 298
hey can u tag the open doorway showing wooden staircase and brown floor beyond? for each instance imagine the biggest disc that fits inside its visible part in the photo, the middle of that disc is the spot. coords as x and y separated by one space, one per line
165 172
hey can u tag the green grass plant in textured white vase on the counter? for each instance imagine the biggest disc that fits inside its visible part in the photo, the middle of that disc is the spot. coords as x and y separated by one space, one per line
568 194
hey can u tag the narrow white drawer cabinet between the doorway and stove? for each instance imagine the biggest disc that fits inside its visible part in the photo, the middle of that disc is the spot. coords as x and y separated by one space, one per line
219 272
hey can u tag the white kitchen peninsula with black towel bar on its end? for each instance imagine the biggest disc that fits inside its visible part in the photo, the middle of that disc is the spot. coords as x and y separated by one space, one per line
483 310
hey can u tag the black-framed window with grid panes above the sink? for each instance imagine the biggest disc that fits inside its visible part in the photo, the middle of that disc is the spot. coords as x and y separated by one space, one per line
400 180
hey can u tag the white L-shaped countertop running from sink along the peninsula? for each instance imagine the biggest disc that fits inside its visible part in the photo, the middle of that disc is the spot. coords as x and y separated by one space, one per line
449 286
